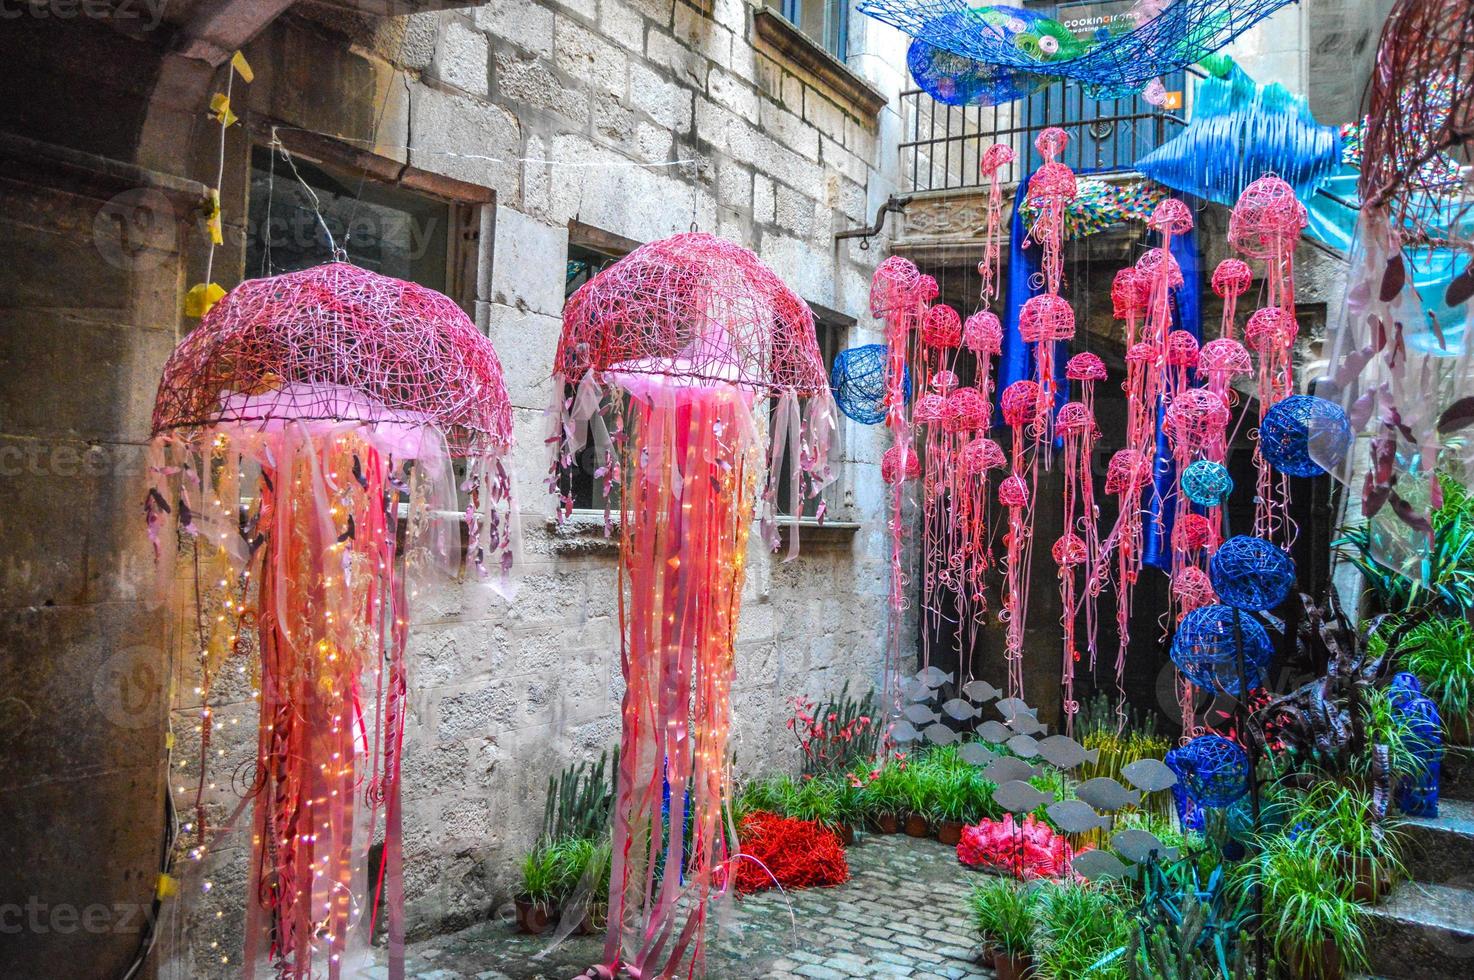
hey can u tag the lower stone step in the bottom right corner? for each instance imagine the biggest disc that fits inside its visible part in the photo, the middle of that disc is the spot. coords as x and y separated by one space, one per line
1423 932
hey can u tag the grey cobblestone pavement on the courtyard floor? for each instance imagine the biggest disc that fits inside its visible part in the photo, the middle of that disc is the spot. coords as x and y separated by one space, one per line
900 916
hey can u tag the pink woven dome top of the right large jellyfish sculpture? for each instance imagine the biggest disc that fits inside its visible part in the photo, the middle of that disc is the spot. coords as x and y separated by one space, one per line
694 307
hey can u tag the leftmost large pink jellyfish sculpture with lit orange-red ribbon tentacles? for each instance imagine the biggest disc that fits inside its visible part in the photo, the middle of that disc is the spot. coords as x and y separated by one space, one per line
288 430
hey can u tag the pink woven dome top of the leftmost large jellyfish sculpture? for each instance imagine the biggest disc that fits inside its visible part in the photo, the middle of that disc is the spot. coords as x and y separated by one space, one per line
338 343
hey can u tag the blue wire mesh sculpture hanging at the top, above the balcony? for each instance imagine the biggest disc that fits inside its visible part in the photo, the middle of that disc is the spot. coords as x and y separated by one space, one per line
1183 35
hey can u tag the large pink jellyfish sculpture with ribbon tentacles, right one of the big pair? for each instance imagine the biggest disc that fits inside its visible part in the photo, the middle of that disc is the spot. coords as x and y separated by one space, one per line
676 349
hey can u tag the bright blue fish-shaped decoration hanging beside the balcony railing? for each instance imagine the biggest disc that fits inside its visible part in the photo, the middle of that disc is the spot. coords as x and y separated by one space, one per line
1242 132
